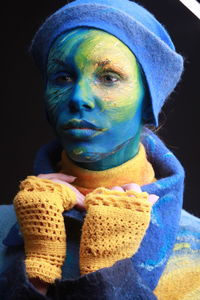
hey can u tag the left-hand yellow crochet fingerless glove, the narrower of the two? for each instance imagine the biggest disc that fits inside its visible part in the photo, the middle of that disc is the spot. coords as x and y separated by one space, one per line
39 206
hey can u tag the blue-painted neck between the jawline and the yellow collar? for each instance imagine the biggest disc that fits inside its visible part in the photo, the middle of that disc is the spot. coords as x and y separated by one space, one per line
122 154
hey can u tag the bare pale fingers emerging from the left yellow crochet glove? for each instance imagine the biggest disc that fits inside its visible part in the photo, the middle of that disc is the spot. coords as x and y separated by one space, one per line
66 180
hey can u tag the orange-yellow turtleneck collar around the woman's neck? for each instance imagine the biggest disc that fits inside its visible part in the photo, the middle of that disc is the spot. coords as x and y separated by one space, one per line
139 169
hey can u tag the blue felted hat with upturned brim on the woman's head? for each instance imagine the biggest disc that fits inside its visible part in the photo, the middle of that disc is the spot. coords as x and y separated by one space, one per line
130 23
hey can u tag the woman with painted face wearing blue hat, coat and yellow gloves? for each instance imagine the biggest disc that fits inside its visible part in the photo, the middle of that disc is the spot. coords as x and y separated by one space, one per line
102 216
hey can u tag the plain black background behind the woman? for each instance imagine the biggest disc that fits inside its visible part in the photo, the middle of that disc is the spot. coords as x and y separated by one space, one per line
23 124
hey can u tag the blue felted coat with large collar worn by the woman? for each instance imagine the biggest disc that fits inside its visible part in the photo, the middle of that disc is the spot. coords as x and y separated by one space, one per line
136 278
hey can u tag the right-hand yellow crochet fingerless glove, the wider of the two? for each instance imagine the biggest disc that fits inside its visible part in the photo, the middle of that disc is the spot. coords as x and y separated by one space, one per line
114 227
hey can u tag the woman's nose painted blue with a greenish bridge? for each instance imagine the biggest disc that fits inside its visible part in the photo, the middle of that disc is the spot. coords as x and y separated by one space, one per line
81 98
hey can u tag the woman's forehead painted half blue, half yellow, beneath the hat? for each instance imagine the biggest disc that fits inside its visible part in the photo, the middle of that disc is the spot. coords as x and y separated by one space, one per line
90 44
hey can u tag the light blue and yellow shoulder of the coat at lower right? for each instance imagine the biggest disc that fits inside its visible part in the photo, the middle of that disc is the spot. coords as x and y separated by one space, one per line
181 278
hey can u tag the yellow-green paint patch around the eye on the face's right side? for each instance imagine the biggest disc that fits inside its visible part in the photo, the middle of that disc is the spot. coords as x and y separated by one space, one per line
113 73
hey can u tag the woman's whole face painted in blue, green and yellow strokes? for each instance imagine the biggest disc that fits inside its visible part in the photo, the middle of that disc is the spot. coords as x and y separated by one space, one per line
94 94
